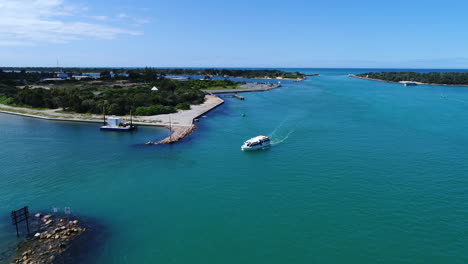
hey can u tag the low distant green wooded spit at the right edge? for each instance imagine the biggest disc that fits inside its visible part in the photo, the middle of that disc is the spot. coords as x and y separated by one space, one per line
442 78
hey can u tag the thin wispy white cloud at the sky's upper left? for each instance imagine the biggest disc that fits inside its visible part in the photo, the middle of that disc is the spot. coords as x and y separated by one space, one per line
27 22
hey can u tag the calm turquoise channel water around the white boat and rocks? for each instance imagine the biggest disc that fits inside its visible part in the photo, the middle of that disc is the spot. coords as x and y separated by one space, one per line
359 172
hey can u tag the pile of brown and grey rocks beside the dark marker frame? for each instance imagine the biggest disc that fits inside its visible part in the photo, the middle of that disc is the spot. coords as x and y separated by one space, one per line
50 242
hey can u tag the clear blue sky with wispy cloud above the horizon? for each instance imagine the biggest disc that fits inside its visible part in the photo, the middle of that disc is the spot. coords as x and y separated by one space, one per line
255 33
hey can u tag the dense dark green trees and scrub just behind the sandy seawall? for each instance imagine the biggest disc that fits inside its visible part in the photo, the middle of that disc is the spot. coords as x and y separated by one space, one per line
84 97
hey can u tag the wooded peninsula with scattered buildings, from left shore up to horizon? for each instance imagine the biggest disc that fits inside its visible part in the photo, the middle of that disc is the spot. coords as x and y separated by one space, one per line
145 93
